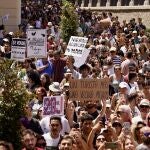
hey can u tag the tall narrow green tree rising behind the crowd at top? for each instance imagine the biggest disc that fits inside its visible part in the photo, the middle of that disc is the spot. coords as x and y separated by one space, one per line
69 21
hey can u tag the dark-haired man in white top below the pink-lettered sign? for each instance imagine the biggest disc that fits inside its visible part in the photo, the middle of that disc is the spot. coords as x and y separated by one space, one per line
52 138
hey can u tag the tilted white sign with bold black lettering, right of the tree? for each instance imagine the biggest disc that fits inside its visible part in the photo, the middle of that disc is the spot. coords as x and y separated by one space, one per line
76 46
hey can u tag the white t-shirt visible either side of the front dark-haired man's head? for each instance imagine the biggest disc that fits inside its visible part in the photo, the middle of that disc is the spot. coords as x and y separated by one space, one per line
45 125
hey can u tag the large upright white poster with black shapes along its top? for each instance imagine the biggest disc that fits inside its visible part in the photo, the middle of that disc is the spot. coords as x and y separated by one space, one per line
36 43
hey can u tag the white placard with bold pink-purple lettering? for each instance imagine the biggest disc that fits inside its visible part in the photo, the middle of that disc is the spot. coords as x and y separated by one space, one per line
53 105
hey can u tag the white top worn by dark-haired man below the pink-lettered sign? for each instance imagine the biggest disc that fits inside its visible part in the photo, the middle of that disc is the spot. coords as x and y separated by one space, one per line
50 141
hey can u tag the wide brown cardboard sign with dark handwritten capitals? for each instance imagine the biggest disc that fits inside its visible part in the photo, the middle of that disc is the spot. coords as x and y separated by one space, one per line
84 90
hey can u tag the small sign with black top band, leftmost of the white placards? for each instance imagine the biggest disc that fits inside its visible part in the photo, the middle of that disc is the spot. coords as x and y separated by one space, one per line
18 49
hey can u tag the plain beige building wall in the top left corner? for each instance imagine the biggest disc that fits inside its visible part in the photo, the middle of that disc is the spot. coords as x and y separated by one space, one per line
13 8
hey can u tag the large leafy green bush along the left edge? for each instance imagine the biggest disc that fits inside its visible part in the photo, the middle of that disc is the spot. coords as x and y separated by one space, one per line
13 98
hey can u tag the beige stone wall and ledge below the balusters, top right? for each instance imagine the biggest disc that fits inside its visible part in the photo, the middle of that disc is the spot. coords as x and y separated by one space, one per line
126 12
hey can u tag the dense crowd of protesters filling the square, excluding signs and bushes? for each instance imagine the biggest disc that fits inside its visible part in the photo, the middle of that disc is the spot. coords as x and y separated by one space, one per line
119 51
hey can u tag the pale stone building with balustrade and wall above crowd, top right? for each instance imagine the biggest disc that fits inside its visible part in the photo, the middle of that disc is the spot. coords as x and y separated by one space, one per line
124 9
